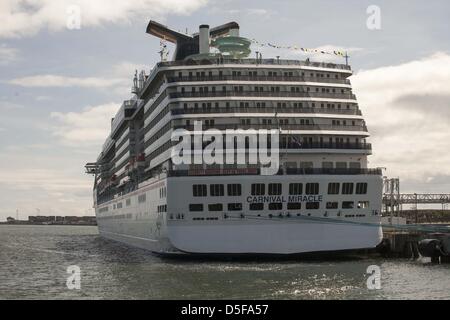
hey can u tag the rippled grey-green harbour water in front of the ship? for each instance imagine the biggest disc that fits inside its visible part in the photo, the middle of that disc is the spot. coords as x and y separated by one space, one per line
34 262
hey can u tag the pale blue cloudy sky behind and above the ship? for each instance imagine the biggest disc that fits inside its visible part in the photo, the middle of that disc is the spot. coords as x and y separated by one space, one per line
60 85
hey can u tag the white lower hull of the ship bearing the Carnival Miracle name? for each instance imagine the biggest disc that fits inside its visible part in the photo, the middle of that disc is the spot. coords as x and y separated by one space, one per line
281 232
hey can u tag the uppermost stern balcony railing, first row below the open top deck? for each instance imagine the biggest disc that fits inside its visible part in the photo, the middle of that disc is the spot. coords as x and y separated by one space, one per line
257 78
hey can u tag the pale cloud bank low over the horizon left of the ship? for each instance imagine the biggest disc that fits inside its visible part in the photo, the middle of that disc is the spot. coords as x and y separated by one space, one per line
44 176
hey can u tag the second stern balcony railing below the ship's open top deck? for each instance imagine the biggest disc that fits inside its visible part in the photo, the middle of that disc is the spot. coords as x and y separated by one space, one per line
175 95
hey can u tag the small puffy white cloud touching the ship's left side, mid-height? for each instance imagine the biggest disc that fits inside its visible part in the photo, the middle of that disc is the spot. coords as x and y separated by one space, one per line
88 127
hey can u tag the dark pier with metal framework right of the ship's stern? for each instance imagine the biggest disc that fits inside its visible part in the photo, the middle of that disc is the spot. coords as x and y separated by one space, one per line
429 232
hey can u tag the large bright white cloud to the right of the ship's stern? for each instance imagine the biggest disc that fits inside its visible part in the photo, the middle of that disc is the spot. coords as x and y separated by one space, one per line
407 110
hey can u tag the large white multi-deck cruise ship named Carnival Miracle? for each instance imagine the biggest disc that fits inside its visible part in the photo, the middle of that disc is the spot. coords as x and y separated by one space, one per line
320 197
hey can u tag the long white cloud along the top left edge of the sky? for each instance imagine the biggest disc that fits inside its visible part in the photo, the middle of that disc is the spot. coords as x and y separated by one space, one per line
27 17
